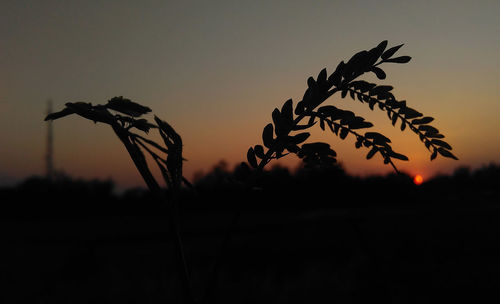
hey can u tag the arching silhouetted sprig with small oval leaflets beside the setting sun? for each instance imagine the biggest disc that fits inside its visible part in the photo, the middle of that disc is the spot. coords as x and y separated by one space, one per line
279 136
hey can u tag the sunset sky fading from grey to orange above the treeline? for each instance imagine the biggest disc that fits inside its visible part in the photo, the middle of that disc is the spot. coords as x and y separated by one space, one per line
215 70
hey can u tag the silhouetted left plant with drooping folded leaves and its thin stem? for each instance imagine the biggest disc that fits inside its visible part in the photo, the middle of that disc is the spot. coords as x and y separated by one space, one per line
123 122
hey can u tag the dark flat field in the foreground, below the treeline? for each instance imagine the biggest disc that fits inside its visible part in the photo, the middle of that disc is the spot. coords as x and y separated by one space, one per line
398 255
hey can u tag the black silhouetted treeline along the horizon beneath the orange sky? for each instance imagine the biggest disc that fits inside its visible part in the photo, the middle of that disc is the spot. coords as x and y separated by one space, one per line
224 190
